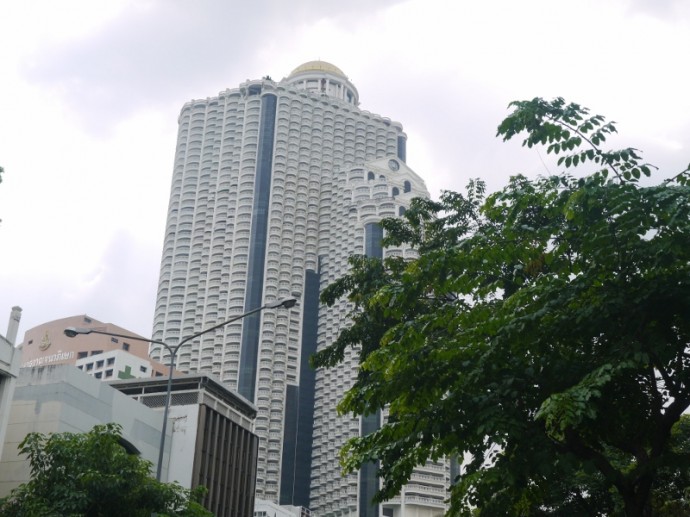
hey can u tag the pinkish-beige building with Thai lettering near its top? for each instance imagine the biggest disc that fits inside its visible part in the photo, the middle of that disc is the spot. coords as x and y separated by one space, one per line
117 357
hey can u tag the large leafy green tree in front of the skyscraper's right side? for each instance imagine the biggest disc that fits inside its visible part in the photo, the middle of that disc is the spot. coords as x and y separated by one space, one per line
541 336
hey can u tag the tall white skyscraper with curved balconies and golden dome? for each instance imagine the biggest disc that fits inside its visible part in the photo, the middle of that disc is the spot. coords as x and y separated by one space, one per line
275 185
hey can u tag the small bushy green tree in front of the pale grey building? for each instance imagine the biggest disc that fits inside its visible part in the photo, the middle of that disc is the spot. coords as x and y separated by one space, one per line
92 474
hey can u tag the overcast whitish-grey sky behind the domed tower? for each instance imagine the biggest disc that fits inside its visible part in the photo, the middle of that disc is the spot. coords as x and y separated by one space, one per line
91 91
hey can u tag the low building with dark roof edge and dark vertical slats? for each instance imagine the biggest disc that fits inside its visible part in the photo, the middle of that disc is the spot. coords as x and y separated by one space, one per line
212 439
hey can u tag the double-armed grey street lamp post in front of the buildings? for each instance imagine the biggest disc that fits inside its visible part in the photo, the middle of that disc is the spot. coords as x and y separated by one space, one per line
172 349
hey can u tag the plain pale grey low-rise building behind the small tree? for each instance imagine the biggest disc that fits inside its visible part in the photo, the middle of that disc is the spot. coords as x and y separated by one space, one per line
60 398
